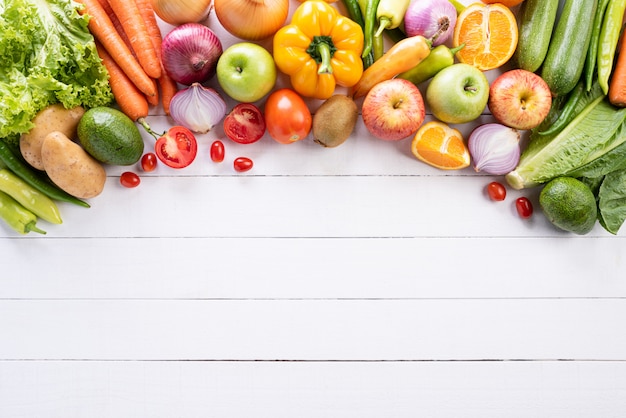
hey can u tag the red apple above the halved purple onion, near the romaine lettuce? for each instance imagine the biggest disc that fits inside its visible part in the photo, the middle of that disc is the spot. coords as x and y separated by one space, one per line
519 99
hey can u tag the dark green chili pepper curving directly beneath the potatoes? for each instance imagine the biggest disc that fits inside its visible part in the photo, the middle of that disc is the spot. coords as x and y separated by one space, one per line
20 168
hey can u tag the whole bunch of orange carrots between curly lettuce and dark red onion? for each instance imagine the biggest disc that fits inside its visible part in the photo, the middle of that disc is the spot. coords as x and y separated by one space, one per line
128 40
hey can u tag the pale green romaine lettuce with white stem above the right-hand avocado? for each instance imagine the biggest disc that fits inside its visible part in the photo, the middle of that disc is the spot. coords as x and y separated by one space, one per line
591 145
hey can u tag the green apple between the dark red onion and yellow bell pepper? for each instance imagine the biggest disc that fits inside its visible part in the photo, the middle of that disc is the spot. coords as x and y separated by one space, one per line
246 72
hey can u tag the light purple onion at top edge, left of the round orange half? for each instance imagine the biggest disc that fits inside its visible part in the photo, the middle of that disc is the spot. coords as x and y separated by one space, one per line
432 19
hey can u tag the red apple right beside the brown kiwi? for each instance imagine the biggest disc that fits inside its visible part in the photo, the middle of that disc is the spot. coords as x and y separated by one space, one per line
393 109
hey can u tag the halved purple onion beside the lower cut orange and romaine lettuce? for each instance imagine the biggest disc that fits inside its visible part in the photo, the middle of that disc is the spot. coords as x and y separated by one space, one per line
494 148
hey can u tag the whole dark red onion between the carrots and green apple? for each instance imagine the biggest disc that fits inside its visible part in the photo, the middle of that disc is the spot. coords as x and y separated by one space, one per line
190 53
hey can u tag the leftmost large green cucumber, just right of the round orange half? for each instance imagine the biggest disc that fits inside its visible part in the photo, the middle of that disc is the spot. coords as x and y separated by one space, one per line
536 22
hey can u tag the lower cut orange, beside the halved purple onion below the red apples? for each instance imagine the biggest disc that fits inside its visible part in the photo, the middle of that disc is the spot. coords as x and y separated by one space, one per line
441 146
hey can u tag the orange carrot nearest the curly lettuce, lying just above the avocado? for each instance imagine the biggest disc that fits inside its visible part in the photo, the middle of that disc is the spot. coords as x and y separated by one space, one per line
128 97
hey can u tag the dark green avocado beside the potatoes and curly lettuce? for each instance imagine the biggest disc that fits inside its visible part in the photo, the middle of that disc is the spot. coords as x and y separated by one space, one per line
110 136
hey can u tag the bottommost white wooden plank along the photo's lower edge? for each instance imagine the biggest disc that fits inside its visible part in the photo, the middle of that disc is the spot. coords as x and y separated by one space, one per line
312 390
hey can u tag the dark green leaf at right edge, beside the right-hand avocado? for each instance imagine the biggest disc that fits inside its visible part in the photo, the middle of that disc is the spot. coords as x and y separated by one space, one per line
612 201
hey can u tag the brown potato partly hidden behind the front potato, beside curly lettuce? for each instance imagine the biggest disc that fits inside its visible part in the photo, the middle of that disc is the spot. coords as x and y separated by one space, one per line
52 118
